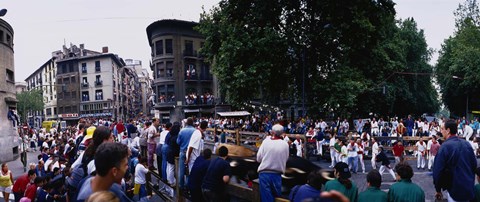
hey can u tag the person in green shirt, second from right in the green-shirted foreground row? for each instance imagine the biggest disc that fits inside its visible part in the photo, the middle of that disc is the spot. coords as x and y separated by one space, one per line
373 192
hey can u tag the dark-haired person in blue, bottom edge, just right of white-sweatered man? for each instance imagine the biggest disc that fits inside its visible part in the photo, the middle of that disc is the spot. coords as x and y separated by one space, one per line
308 191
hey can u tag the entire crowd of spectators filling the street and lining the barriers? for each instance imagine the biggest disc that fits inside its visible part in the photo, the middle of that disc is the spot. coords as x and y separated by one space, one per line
99 159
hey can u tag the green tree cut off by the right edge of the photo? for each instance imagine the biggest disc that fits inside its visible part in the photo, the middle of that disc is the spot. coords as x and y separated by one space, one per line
460 58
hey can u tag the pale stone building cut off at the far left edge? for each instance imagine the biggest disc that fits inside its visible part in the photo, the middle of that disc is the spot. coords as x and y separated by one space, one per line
9 146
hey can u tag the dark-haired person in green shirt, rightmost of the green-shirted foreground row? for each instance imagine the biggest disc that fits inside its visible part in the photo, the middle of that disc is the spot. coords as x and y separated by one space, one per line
404 190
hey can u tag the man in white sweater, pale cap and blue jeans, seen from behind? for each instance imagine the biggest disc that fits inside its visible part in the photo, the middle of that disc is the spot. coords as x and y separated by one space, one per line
272 156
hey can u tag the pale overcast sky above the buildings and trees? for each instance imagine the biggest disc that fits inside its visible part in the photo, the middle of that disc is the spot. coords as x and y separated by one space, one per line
42 27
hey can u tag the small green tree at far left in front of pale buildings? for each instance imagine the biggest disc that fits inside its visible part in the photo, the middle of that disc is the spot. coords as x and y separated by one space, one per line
29 101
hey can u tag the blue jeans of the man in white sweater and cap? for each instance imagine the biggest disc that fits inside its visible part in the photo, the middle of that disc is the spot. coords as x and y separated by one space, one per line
270 186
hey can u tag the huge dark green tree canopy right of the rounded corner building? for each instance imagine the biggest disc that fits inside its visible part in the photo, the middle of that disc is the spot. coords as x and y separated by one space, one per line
339 52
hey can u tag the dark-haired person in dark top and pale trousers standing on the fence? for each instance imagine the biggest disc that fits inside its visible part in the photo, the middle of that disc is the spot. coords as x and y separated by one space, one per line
172 151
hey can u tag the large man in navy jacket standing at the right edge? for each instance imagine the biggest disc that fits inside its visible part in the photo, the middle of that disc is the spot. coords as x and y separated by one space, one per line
454 166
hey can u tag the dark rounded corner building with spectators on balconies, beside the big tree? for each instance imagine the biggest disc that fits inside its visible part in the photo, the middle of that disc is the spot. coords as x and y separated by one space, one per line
182 82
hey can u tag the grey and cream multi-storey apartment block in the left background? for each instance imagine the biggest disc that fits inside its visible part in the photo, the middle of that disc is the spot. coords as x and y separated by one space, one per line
90 84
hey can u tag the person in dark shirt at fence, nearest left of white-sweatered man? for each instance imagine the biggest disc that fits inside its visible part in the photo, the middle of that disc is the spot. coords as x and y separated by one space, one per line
217 177
